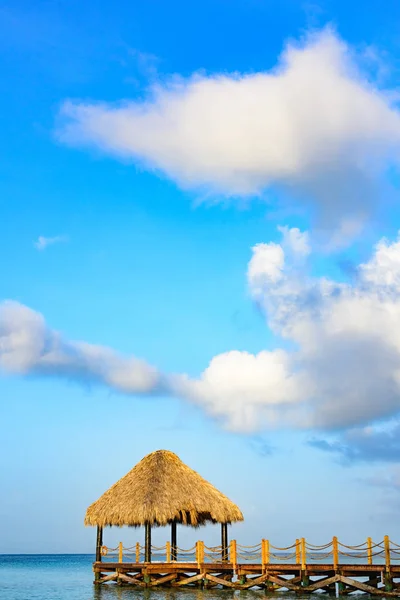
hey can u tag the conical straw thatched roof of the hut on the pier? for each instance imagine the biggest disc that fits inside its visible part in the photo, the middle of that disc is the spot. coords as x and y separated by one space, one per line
159 490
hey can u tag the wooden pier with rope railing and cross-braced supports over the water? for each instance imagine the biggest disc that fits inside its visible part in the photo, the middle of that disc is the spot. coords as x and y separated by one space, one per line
334 568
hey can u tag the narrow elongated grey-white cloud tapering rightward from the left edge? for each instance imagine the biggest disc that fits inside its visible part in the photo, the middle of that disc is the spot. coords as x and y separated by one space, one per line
29 346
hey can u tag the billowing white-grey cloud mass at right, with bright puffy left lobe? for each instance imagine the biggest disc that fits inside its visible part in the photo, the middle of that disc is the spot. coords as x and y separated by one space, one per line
342 370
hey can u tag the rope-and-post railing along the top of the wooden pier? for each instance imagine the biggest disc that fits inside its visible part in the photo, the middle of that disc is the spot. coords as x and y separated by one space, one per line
301 552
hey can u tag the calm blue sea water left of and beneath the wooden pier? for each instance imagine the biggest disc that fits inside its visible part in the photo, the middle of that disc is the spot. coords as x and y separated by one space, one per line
70 577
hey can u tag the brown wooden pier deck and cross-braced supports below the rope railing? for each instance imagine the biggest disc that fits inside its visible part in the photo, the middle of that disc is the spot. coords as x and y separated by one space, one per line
342 579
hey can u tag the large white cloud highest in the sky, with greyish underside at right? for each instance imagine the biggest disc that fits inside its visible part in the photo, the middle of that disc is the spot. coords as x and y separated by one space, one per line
313 126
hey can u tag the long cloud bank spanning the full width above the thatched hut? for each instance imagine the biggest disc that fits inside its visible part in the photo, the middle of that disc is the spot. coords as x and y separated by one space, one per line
342 373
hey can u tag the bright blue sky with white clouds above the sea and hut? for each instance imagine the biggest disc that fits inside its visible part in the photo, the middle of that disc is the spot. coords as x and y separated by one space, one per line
148 248
